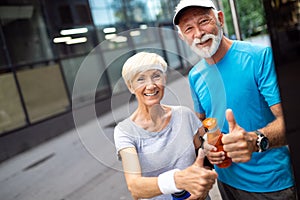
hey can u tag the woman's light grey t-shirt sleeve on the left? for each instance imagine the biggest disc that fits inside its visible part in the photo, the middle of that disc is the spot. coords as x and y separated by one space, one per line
122 140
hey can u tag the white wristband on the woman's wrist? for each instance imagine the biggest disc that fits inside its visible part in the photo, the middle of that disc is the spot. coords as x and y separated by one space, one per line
166 182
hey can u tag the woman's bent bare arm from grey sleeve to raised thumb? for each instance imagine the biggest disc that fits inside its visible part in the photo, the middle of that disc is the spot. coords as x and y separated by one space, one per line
195 179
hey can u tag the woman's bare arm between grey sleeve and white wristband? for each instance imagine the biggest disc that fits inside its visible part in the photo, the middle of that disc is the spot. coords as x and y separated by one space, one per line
139 187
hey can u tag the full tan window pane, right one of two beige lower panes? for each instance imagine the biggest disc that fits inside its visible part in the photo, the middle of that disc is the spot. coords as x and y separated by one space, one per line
44 92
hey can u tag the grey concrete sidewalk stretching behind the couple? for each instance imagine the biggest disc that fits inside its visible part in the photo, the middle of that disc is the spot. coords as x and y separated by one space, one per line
80 164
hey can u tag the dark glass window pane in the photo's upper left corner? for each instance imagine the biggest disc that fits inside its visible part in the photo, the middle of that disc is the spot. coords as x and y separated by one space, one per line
25 33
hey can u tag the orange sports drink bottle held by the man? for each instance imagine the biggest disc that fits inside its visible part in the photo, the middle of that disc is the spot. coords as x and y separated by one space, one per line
214 137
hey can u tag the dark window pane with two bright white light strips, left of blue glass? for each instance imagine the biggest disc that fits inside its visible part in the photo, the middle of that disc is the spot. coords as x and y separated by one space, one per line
70 27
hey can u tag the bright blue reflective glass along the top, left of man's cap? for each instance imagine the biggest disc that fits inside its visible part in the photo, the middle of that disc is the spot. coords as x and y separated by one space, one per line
130 12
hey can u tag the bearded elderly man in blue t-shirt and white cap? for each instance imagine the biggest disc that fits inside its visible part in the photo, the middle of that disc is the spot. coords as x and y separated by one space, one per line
240 76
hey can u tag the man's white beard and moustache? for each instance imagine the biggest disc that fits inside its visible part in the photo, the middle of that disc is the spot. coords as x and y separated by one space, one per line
209 51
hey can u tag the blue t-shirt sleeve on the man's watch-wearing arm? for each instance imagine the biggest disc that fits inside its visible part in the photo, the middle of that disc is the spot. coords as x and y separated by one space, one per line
267 79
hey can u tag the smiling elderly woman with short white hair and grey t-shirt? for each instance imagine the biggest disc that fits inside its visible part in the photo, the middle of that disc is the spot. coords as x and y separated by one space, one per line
157 142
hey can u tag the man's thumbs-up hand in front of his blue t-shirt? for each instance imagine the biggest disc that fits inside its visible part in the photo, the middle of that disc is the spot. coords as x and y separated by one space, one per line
238 143
